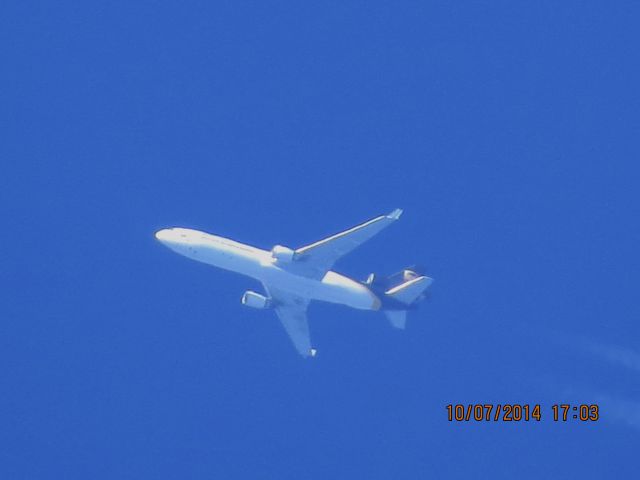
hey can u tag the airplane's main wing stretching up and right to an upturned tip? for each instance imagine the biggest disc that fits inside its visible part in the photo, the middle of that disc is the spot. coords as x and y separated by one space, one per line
316 259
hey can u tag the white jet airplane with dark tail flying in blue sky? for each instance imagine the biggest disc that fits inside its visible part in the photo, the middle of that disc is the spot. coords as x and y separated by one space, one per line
292 278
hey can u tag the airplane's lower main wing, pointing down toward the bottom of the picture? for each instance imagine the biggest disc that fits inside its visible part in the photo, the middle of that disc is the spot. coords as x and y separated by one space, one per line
292 312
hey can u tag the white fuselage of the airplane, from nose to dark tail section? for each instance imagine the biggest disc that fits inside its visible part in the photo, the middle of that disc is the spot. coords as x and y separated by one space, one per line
261 265
